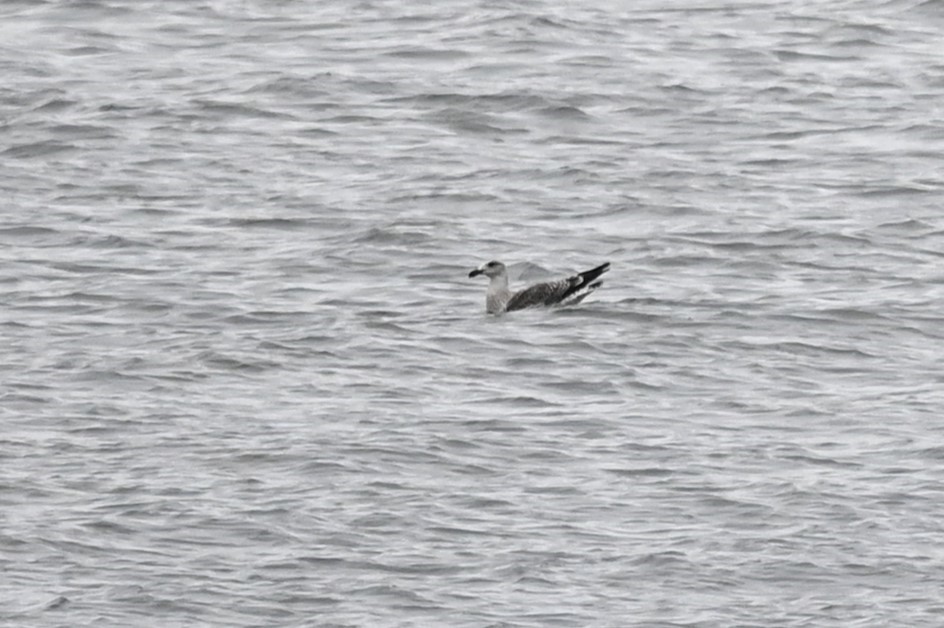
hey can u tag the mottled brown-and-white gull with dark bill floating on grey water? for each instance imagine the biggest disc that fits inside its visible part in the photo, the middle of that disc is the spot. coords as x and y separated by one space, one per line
570 291
